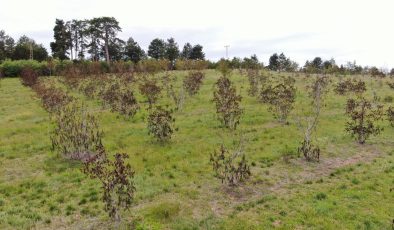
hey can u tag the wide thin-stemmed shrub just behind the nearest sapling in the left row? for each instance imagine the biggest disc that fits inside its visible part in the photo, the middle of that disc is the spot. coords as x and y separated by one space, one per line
76 134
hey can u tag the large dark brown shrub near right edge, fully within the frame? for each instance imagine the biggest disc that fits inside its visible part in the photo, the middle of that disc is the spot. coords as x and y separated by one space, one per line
363 117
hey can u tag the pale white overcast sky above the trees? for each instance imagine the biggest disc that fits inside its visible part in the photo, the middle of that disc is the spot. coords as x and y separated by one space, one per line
346 30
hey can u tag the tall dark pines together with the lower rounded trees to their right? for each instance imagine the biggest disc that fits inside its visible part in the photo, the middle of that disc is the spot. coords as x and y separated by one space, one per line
97 39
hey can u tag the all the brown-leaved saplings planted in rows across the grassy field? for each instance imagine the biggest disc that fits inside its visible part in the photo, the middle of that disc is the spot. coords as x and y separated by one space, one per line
77 134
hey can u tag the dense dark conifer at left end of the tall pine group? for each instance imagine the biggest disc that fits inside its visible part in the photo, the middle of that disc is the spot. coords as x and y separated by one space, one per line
62 36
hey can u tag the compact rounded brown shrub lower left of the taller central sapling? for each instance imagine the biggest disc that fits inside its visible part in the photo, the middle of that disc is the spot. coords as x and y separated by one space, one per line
160 122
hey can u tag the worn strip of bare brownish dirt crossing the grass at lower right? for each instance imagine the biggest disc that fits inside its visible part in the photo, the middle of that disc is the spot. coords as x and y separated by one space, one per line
297 171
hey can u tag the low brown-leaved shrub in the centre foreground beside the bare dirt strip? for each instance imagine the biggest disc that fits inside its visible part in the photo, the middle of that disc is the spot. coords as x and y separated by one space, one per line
230 168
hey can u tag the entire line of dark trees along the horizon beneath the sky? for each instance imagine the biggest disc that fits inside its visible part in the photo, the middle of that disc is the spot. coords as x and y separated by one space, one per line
97 40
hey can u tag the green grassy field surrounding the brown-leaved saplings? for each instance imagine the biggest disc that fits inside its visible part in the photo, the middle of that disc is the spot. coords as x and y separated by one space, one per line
348 189
